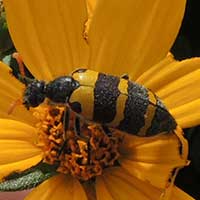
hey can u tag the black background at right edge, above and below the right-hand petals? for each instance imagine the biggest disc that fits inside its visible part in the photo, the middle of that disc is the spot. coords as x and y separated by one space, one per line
187 45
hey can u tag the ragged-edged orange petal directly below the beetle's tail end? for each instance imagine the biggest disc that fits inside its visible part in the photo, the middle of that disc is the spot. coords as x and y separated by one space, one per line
153 159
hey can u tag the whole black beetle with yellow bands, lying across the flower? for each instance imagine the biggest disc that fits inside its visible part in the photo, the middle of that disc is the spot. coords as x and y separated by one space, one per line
115 102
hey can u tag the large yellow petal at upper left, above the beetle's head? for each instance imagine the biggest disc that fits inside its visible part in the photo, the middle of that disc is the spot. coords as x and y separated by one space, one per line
48 35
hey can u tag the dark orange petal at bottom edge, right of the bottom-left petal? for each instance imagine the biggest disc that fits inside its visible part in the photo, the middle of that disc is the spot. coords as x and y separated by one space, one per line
120 185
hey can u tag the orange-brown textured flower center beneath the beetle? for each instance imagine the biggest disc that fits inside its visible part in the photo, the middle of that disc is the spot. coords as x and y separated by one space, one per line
84 156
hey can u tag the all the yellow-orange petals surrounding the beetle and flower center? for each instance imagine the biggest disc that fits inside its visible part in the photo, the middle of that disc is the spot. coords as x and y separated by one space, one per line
133 37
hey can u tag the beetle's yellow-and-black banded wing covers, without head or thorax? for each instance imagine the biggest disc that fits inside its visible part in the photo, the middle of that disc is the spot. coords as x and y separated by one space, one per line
120 104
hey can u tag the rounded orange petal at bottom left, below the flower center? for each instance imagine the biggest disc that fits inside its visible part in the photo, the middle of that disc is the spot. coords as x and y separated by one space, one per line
58 187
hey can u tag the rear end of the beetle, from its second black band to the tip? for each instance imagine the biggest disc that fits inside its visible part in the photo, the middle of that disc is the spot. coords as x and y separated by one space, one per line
144 113
